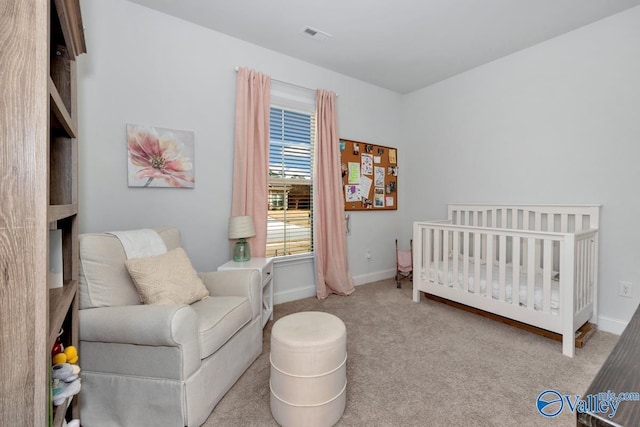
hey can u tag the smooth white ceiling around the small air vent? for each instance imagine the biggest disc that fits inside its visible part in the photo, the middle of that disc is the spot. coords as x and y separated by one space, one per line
401 45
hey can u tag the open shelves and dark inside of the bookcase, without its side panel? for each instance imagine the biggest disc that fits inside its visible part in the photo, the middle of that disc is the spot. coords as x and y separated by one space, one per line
66 43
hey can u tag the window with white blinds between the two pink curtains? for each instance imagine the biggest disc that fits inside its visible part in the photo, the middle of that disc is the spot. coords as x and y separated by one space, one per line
290 212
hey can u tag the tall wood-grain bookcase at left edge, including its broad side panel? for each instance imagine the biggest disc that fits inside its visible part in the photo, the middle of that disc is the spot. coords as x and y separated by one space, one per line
38 191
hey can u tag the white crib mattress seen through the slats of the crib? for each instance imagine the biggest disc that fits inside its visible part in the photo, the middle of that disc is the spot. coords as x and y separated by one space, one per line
495 289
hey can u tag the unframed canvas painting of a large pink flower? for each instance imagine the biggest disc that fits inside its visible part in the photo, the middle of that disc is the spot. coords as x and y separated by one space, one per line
160 157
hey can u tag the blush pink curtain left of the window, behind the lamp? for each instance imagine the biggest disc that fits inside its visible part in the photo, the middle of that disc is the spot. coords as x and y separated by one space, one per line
251 154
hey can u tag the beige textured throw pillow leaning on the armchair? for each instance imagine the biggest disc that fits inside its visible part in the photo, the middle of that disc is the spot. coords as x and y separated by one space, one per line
166 279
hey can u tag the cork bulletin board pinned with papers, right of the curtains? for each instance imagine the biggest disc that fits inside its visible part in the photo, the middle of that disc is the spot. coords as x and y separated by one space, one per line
369 176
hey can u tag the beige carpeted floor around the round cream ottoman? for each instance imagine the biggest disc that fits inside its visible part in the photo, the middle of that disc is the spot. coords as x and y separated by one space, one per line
427 364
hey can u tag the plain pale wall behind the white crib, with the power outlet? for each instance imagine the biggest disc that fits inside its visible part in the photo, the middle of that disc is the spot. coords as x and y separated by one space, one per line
555 123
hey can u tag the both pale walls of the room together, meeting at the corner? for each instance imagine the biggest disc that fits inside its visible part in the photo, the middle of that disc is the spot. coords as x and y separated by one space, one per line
556 123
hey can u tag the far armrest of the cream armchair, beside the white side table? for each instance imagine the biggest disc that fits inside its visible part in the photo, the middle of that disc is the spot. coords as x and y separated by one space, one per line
245 283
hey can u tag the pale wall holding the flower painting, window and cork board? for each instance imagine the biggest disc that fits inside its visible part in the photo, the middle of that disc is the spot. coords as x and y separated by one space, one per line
144 67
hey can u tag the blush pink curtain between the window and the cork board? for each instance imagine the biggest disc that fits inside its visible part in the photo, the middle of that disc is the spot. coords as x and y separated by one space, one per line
332 272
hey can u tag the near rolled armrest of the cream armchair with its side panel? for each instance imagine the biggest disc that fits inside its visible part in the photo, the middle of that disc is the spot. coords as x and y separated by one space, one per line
121 340
